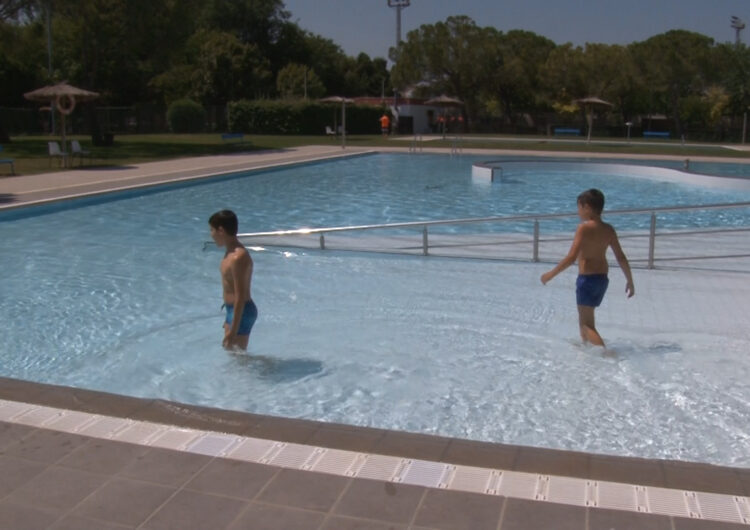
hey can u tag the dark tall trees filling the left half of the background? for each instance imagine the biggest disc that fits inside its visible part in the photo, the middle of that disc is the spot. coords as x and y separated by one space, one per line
213 51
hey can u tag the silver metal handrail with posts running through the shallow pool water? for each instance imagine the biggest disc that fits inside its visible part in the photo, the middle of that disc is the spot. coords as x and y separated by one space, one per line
535 218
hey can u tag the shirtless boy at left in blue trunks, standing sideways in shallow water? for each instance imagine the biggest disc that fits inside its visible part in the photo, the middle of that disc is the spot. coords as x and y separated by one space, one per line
236 274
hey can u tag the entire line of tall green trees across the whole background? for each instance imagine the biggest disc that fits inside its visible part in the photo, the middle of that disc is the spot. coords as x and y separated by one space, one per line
216 51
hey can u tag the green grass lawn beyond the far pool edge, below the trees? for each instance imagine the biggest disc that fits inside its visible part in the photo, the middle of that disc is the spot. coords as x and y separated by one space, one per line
30 152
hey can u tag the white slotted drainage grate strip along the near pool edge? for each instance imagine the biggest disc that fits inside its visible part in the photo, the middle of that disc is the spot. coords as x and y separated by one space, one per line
515 484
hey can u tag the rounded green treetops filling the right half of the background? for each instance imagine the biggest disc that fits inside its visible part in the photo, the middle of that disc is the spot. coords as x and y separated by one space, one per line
683 75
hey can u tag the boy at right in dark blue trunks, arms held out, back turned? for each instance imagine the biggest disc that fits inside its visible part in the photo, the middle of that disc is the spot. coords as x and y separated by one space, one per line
592 239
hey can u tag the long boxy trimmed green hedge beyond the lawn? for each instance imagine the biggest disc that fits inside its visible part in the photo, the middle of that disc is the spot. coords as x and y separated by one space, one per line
299 117
